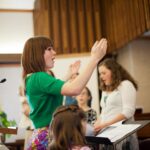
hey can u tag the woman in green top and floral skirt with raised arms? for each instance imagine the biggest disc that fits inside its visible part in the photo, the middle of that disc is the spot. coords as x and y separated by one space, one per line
43 91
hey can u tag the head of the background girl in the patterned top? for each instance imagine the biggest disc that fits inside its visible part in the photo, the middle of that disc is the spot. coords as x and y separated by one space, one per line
84 97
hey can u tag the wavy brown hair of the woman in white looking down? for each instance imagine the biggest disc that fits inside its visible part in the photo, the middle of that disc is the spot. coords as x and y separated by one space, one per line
118 74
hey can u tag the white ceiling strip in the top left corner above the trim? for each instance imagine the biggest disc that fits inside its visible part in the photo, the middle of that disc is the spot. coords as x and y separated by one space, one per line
16 4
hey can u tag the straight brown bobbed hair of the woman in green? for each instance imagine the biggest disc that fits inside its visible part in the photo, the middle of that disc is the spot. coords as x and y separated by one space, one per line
33 54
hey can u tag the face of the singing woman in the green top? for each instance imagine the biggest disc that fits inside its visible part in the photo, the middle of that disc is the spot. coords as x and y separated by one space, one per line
49 57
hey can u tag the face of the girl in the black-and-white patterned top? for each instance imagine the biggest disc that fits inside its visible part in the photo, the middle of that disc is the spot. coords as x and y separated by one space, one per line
83 97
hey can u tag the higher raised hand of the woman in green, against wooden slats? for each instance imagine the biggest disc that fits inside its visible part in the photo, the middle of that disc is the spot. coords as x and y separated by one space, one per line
99 49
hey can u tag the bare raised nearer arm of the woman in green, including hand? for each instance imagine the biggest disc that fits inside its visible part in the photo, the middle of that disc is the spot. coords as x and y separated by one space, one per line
76 86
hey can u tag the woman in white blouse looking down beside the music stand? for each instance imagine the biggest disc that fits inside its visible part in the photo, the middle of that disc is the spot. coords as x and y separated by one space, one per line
118 101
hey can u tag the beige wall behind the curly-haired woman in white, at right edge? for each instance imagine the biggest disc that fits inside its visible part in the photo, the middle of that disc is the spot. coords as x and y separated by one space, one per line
135 57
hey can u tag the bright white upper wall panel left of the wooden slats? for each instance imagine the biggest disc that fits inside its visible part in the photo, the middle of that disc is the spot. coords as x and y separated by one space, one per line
15 29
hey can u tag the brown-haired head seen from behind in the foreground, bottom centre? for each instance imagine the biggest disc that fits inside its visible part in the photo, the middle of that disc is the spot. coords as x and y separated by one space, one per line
68 127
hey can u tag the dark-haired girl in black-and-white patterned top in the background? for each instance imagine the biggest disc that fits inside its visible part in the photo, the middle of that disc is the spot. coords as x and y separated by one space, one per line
84 101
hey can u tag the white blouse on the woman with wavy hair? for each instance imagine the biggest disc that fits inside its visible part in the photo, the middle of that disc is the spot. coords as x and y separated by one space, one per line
122 100
